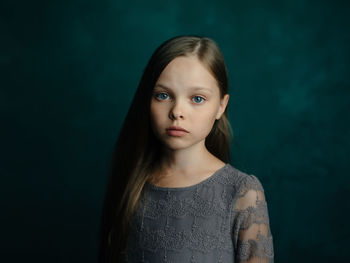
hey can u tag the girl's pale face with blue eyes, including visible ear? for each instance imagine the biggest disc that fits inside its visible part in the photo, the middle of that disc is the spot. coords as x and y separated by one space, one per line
185 95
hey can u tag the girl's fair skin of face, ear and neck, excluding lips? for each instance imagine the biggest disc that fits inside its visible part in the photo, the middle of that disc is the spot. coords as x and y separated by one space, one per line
175 101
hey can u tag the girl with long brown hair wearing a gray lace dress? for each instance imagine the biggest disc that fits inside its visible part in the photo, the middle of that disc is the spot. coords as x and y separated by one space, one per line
171 195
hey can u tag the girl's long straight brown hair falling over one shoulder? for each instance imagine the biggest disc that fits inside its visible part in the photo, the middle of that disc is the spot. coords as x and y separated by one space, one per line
137 149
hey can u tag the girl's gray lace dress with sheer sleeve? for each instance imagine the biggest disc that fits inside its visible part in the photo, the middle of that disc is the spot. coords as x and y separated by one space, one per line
221 219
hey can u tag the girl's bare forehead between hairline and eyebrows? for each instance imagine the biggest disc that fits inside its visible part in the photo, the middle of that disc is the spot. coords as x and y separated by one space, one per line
189 72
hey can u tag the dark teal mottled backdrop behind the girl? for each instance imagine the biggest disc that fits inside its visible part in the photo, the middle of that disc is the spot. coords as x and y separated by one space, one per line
69 70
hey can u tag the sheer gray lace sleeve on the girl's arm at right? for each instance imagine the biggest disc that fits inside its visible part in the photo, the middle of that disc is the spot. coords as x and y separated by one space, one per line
252 235
